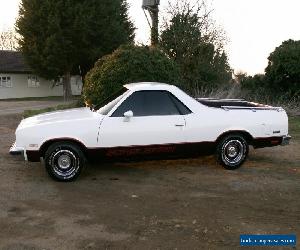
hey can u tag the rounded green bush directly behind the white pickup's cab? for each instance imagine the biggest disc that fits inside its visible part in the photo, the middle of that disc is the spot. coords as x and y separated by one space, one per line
128 64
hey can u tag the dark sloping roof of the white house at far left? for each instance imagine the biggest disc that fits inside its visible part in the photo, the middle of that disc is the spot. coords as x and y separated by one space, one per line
13 62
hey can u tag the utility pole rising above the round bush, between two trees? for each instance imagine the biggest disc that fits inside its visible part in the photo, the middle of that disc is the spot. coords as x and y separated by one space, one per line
152 7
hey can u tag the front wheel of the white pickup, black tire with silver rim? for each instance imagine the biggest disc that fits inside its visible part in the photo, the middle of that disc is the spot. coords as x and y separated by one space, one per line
64 161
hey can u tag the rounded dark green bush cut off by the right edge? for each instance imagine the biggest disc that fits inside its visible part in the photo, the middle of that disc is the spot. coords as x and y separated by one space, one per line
283 70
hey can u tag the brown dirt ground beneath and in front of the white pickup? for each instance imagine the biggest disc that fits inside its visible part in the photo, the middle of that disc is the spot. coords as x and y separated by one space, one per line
174 204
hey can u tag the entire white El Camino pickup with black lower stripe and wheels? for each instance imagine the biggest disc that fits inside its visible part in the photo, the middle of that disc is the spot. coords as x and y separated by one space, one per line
151 120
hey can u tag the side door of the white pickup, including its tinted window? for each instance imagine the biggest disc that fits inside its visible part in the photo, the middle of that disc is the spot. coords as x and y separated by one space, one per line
156 122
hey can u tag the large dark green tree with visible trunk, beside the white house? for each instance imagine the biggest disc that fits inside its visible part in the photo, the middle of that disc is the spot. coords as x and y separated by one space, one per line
58 36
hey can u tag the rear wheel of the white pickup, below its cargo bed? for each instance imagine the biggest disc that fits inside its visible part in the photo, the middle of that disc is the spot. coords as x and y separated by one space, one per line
232 151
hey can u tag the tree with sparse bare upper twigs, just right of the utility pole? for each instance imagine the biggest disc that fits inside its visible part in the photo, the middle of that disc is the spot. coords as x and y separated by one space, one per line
193 40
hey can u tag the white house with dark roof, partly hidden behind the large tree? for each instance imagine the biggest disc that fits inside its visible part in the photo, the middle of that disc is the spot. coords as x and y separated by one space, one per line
17 80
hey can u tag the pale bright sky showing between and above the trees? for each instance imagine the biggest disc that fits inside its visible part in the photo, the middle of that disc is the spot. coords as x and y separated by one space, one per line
254 28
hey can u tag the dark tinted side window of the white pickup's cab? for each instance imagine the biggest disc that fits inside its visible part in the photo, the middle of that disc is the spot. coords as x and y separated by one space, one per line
148 103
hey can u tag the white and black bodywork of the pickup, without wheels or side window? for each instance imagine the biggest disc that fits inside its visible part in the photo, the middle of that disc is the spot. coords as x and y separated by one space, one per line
110 136
